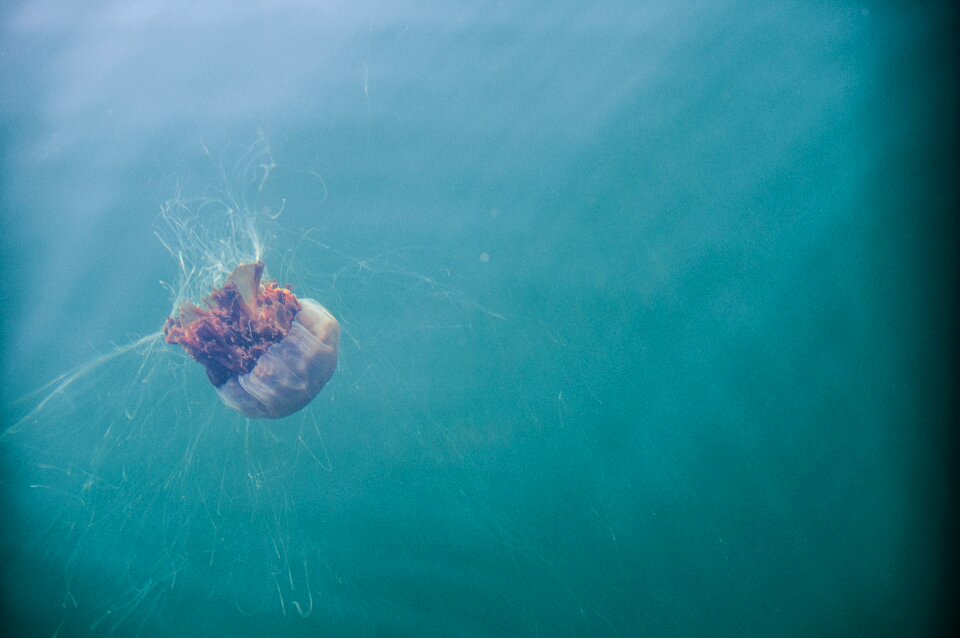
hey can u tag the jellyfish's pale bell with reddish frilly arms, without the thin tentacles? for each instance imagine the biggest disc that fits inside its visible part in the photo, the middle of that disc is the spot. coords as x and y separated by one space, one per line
267 353
